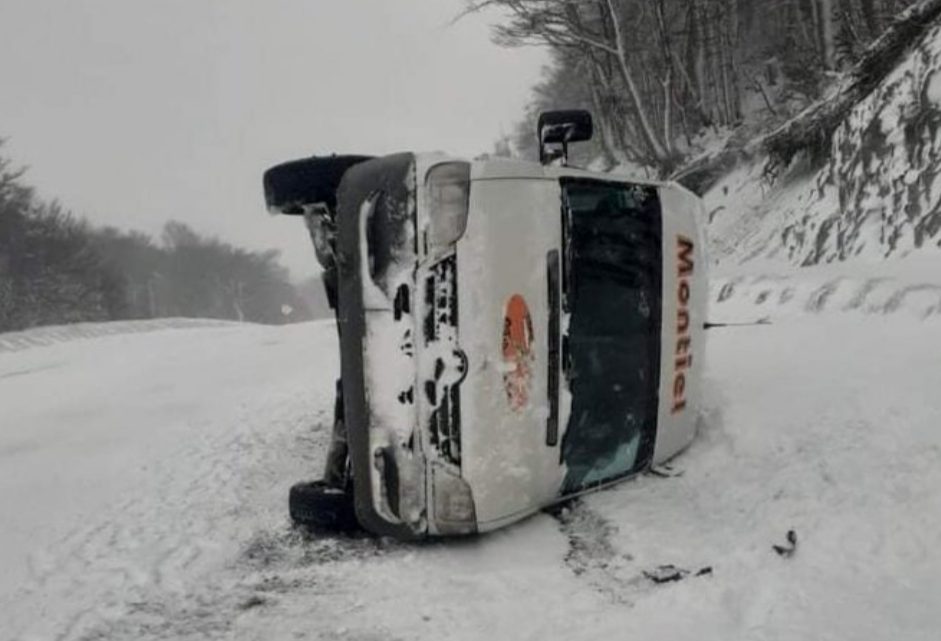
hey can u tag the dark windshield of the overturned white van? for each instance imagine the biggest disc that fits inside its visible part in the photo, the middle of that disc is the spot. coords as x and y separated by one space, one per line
613 296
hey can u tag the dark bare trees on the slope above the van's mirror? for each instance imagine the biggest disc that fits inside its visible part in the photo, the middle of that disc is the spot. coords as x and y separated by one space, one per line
657 72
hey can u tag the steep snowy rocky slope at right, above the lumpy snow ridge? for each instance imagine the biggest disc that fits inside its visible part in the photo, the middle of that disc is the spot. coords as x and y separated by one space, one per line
878 195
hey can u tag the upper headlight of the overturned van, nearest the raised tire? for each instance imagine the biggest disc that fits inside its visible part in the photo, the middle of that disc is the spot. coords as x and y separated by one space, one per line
448 186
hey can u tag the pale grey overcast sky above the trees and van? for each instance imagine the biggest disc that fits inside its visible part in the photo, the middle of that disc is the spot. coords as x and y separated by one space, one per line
132 112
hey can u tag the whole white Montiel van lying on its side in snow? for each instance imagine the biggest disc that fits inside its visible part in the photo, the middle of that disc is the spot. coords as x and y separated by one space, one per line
512 334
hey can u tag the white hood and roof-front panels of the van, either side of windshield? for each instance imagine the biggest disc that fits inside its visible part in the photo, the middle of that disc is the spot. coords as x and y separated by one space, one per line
514 221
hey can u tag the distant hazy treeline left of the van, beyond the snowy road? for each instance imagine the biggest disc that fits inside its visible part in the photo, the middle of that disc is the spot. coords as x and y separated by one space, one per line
56 268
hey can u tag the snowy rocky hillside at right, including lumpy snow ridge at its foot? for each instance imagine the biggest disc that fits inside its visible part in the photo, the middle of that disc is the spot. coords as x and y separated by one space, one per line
859 235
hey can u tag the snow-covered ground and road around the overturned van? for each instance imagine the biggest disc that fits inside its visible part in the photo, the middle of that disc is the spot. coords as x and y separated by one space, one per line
143 484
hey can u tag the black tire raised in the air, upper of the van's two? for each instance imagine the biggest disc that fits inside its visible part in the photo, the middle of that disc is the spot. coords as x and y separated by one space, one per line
291 185
